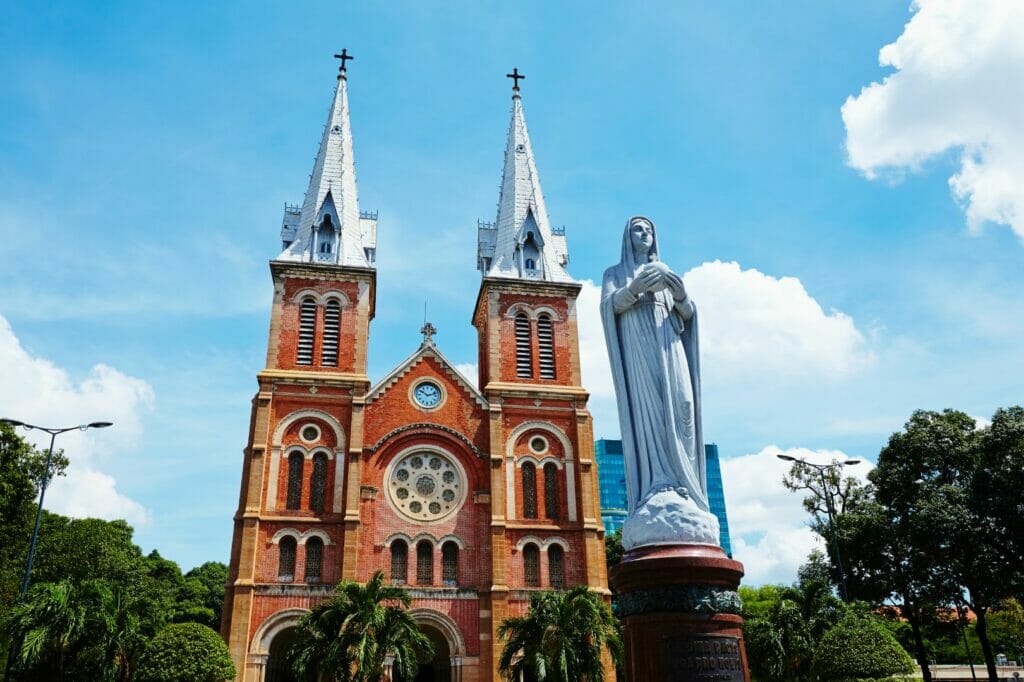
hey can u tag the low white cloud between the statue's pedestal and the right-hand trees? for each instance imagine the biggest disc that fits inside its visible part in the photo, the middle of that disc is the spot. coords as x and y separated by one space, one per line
769 524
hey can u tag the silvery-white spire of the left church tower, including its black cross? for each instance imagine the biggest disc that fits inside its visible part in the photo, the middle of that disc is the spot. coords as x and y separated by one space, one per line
329 229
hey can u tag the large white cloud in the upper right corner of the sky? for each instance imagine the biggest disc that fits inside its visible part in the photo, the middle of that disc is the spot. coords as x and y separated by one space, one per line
956 89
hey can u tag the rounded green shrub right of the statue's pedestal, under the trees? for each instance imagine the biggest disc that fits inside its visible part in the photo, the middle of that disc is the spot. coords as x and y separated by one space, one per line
858 649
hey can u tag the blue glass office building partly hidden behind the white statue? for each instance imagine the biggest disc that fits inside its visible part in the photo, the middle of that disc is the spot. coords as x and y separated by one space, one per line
612 481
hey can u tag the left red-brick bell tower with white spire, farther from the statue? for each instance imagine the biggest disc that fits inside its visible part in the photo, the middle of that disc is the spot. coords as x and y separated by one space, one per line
297 510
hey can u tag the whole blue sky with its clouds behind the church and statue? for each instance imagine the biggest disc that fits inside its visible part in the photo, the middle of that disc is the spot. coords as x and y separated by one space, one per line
147 151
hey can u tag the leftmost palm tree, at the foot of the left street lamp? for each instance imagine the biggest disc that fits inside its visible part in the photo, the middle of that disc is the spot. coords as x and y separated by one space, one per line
47 627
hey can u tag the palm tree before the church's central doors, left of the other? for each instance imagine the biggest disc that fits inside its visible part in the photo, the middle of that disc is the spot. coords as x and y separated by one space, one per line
349 637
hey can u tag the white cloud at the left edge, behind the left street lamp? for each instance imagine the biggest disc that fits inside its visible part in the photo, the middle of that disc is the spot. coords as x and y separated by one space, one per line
37 392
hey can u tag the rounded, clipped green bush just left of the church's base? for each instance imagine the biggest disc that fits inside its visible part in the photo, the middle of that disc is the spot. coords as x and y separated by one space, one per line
187 653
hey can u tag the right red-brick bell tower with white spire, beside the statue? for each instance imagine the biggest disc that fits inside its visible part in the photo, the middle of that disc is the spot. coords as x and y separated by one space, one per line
526 317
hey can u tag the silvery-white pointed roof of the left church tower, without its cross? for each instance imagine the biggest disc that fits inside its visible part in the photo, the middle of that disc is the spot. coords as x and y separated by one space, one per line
332 189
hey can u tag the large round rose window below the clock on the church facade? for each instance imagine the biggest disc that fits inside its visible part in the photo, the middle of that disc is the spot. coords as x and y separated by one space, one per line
425 486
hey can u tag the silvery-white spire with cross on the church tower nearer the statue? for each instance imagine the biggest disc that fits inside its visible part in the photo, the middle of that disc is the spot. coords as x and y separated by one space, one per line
522 244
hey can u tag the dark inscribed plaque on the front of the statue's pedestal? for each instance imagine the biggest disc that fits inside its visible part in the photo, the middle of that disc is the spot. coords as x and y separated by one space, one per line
704 659
